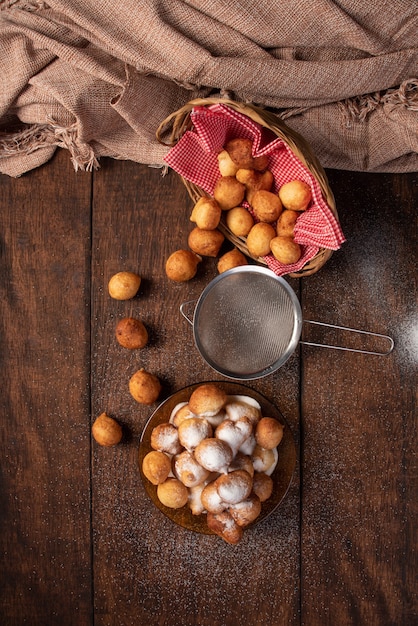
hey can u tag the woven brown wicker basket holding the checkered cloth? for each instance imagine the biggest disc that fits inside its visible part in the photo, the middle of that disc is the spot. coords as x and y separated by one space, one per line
179 122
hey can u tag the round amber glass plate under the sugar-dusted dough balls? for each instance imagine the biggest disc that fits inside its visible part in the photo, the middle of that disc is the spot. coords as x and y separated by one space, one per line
282 475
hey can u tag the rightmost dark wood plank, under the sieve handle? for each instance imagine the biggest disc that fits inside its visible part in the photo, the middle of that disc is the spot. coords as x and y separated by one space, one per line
359 427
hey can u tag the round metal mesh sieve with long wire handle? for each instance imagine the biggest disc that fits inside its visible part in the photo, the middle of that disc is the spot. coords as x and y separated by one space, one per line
247 322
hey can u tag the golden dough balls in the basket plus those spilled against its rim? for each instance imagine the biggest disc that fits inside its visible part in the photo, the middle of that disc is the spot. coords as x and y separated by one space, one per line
243 196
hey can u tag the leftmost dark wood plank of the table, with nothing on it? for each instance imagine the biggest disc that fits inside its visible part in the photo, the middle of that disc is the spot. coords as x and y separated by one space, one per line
45 442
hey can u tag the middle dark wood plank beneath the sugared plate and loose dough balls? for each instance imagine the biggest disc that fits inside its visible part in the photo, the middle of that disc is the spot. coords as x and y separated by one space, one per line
148 570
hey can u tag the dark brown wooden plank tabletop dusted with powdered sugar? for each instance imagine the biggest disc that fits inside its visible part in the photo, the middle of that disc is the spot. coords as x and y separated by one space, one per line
81 542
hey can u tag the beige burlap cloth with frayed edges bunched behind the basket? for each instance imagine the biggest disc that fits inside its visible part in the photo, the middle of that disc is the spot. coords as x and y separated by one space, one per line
98 76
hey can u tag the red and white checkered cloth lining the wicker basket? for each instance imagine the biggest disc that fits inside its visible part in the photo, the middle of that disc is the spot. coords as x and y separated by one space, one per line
195 158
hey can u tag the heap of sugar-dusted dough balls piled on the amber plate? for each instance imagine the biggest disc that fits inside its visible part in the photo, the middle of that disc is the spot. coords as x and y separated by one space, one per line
216 455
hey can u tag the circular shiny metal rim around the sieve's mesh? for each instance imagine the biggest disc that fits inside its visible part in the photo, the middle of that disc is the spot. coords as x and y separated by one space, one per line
292 343
